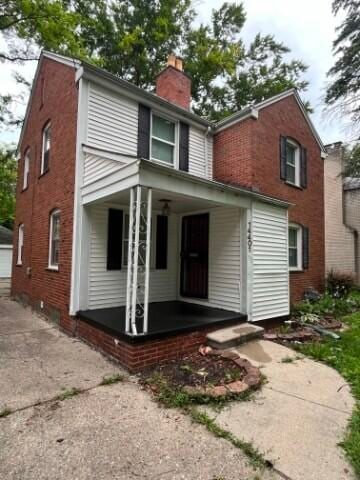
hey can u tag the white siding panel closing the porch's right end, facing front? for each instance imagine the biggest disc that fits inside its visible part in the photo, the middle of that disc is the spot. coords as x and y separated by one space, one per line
270 282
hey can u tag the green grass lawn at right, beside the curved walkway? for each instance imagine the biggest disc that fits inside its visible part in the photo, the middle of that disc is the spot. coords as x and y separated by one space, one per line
344 356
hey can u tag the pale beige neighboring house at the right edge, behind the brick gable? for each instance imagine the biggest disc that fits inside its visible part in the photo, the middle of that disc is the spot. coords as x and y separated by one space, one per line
342 215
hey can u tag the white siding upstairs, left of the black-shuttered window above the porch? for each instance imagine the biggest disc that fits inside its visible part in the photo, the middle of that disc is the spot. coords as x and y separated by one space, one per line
112 121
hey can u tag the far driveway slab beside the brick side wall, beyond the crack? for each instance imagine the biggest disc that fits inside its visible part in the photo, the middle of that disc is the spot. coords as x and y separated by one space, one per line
38 361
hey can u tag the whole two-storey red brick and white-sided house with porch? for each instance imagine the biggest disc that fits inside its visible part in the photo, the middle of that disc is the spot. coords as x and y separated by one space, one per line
141 226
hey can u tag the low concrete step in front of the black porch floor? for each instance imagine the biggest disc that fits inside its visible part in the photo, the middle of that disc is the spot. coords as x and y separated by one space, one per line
232 336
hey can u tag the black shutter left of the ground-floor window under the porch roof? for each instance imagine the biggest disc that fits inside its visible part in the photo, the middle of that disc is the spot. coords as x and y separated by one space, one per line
114 250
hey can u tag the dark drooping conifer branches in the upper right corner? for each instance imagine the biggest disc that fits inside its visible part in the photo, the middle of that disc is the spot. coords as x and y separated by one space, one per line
343 93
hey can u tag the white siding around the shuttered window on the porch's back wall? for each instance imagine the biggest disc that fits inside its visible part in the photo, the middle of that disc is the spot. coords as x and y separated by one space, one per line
107 288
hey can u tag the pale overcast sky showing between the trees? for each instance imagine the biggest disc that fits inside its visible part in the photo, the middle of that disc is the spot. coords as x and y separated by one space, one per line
308 28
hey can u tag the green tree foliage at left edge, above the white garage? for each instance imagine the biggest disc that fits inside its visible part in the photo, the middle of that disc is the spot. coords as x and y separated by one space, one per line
8 172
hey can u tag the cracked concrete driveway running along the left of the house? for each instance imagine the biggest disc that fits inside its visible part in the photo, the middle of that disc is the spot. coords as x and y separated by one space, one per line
104 432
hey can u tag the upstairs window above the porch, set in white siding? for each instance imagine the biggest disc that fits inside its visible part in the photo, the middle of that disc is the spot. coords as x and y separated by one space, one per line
163 140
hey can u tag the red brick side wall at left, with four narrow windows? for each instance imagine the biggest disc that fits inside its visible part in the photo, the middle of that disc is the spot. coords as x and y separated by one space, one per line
54 99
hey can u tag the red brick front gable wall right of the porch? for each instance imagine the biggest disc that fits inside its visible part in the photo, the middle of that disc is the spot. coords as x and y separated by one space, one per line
248 154
